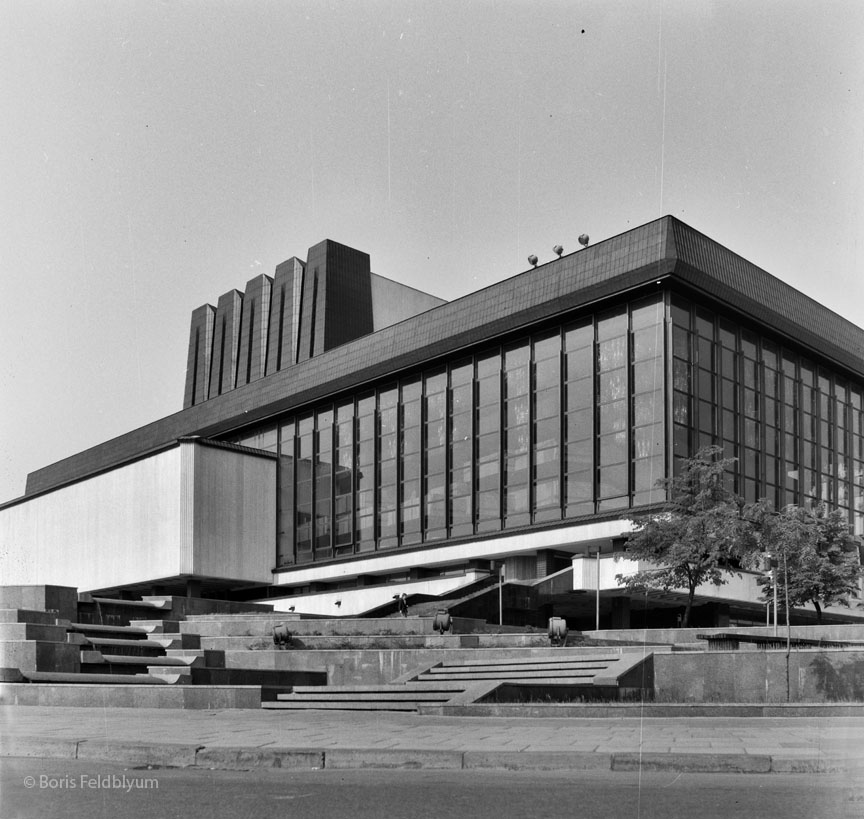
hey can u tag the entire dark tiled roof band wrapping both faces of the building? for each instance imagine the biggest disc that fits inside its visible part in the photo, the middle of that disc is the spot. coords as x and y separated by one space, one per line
665 249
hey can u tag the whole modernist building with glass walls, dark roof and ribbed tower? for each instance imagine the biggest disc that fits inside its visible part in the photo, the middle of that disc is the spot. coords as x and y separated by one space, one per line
345 438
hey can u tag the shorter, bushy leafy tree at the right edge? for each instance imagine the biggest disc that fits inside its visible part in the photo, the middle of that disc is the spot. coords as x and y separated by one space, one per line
817 556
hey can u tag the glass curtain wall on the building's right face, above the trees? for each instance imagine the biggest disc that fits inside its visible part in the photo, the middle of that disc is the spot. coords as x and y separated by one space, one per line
796 428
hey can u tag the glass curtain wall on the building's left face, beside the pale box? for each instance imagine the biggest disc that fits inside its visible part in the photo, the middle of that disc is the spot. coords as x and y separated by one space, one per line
565 422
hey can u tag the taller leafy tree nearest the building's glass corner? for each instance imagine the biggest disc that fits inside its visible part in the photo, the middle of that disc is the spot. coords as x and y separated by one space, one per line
698 537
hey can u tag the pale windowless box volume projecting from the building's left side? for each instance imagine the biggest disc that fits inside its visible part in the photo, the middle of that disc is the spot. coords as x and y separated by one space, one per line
192 509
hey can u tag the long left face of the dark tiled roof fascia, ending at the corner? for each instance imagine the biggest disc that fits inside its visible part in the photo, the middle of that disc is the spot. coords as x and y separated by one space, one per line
620 263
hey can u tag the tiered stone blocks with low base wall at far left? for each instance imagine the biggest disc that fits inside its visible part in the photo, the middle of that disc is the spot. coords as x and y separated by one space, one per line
45 659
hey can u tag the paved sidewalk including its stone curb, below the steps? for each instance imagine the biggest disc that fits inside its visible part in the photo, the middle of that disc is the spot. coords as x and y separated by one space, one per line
241 739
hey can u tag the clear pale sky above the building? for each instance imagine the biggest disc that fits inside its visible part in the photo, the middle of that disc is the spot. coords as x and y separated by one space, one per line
154 155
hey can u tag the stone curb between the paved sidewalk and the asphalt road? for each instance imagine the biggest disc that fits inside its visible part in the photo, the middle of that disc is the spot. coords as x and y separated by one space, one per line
252 758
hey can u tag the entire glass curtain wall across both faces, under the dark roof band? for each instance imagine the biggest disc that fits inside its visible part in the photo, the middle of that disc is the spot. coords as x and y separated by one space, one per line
566 422
